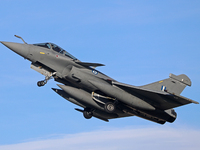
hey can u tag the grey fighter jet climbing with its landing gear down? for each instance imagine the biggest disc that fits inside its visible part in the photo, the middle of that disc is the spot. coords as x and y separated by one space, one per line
99 95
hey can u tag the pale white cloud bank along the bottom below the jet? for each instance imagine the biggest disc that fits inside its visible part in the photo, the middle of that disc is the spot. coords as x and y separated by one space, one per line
164 138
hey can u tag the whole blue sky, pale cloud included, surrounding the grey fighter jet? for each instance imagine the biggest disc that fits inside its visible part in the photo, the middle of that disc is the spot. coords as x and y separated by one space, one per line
139 42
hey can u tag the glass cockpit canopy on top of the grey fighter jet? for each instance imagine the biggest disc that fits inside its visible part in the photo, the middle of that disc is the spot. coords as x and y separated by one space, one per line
55 48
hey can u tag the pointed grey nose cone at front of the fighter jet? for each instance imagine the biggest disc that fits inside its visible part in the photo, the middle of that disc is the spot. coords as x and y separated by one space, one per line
21 49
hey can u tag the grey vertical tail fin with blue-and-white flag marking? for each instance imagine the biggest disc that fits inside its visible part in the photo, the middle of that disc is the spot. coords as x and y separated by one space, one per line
174 84
